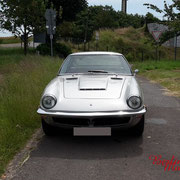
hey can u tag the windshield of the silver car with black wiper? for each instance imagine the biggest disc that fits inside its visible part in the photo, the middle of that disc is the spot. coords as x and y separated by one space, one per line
96 64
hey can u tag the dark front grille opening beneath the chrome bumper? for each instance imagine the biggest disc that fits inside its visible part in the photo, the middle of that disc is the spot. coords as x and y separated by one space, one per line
97 122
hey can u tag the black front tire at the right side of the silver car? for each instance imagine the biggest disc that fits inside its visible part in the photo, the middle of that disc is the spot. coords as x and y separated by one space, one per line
138 129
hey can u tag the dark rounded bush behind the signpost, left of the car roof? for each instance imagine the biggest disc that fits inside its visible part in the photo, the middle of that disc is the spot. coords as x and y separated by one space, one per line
59 49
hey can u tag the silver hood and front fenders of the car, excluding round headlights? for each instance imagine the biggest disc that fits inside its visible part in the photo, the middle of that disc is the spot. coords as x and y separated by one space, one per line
96 93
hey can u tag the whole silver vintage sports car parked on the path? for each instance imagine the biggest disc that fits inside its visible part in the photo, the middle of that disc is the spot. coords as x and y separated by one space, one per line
93 93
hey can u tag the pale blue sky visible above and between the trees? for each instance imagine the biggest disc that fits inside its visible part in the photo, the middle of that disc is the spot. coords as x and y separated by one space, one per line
134 6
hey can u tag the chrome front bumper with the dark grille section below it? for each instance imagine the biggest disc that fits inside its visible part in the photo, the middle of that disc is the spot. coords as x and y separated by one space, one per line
96 119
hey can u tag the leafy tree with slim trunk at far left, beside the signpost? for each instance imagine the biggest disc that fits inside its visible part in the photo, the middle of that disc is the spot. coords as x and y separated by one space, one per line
22 17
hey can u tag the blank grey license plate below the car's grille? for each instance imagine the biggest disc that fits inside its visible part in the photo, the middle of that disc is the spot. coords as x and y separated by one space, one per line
92 131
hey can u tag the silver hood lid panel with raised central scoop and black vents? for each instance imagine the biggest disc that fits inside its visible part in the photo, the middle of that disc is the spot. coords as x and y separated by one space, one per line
93 87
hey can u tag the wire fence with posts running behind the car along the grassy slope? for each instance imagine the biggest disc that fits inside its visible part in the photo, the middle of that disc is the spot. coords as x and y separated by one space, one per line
132 53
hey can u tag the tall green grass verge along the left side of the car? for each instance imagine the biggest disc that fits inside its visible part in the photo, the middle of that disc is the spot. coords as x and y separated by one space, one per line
21 86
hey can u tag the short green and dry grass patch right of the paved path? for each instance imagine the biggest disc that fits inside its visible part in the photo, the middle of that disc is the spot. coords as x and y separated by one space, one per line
167 73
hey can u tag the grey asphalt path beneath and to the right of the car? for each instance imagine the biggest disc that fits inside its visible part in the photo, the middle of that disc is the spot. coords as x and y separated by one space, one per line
119 157
